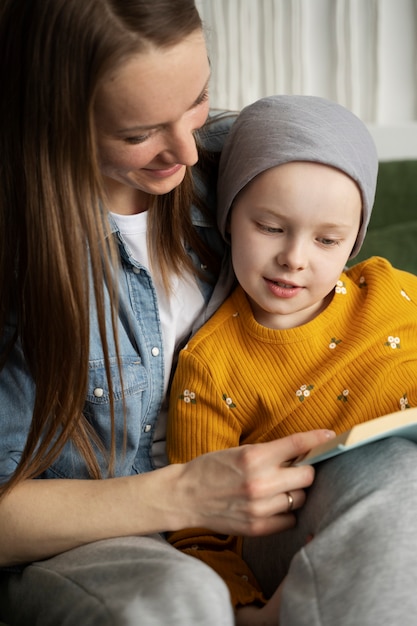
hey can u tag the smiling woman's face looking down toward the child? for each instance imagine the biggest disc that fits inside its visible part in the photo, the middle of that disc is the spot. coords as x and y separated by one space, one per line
146 112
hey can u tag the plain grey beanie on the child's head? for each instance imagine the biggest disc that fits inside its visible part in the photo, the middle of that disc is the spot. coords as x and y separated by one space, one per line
281 129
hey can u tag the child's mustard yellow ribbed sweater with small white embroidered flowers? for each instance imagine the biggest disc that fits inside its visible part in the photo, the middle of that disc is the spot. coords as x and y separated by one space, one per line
238 382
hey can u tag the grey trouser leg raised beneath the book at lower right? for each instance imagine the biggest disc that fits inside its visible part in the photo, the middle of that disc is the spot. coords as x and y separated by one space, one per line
355 543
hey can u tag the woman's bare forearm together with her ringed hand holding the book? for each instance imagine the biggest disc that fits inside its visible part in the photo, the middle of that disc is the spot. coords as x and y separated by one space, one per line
235 491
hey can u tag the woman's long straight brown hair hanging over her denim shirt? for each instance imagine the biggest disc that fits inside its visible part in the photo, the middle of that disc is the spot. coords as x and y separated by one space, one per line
54 245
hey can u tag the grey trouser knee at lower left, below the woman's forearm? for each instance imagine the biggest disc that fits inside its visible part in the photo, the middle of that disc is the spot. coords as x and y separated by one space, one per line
133 581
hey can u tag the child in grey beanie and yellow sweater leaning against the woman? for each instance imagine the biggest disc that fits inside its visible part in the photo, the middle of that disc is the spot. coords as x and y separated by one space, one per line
301 343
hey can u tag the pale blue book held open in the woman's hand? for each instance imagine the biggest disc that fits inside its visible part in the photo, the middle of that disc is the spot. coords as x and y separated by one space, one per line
398 424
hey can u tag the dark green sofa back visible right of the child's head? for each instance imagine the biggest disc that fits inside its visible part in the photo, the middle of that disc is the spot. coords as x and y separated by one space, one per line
392 231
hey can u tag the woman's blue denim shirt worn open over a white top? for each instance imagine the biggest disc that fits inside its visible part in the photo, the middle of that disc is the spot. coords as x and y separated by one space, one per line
142 362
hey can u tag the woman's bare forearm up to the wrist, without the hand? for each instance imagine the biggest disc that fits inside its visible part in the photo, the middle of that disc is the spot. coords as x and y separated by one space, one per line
41 518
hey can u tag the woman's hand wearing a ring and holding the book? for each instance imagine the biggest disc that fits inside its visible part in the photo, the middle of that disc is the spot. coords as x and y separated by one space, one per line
244 490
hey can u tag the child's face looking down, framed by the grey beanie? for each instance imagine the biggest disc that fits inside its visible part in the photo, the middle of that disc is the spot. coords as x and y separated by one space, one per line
292 230
